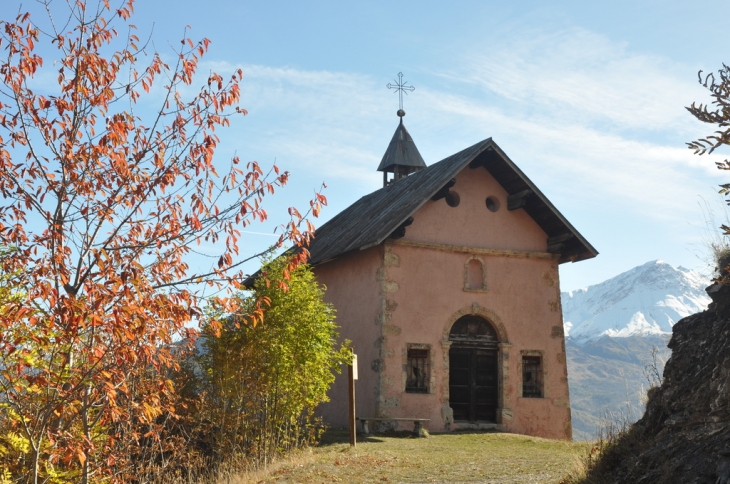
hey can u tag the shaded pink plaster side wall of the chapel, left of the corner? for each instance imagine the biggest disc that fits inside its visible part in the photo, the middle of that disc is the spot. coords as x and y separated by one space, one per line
354 291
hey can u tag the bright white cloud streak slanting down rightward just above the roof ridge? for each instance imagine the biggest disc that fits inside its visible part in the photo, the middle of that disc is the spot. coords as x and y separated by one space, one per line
588 164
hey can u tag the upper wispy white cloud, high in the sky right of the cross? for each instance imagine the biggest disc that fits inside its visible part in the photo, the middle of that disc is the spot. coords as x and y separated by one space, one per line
577 74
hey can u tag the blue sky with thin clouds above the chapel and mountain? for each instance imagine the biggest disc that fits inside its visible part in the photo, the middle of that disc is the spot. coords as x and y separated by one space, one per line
586 97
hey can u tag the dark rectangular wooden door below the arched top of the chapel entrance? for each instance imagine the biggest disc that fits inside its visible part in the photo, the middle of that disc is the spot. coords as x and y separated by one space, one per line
473 383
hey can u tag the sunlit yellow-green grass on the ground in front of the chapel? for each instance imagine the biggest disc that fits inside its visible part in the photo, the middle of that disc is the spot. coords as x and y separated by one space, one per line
454 457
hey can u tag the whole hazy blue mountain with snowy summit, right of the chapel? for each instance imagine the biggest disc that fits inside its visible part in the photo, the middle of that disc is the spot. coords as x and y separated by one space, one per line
617 334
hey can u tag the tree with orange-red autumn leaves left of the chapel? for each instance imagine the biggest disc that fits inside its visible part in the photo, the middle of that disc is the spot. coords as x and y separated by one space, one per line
104 206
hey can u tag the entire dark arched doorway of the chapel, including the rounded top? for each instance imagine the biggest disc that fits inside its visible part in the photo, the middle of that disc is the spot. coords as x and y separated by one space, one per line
473 372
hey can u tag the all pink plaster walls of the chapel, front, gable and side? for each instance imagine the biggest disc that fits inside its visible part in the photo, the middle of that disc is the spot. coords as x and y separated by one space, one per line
395 295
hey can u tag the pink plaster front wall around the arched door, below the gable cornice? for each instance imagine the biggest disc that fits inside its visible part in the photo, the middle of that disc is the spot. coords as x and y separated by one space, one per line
430 292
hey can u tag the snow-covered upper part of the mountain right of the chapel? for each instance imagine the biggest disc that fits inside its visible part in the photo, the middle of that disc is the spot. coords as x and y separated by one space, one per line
647 300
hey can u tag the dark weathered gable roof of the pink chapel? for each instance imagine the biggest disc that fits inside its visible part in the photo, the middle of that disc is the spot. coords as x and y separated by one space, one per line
370 220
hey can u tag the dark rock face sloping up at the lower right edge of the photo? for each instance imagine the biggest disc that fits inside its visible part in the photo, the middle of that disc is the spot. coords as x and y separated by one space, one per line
684 435
